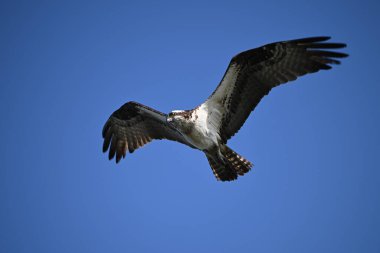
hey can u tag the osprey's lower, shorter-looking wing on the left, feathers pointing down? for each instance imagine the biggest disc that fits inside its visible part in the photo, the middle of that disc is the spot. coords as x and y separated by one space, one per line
132 126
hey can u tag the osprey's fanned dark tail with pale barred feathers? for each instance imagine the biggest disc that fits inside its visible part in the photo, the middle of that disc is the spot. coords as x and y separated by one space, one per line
228 165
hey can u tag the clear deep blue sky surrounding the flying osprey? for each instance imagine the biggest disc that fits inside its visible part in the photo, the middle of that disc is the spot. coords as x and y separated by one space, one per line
66 66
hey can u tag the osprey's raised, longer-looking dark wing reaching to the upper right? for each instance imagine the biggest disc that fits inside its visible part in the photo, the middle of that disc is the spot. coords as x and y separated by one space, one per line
253 73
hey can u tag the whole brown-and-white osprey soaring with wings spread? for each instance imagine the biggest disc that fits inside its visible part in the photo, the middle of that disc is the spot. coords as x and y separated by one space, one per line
249 77
